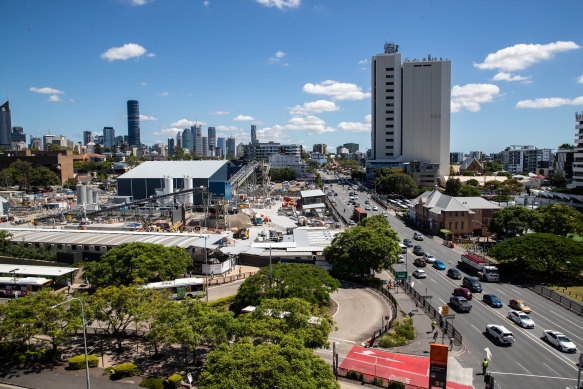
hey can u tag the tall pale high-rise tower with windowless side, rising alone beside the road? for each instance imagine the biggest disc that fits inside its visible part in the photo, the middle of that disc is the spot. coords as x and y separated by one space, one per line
410 110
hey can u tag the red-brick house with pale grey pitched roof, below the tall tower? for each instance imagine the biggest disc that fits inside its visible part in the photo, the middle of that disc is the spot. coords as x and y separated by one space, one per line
460 215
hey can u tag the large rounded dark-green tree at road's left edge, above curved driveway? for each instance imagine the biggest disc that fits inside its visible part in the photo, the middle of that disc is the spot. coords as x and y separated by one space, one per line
371 245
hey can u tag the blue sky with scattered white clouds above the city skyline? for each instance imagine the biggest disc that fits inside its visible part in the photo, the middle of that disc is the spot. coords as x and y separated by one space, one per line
299 69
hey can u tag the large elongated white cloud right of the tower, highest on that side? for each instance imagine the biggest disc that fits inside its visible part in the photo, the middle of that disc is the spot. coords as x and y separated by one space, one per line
522 55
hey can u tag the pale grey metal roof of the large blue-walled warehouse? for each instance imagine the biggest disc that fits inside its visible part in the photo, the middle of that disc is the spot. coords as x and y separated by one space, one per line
174 169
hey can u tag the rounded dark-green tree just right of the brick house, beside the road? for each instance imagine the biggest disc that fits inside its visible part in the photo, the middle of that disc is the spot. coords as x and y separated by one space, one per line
513 221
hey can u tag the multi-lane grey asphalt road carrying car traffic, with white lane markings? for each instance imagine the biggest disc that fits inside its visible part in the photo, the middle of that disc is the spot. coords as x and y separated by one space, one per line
530 361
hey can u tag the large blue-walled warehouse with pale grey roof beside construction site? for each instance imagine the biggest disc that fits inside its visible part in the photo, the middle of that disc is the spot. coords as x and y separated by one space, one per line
161 177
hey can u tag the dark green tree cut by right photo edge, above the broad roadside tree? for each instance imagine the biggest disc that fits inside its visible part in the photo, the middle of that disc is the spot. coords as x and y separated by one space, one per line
559 219
